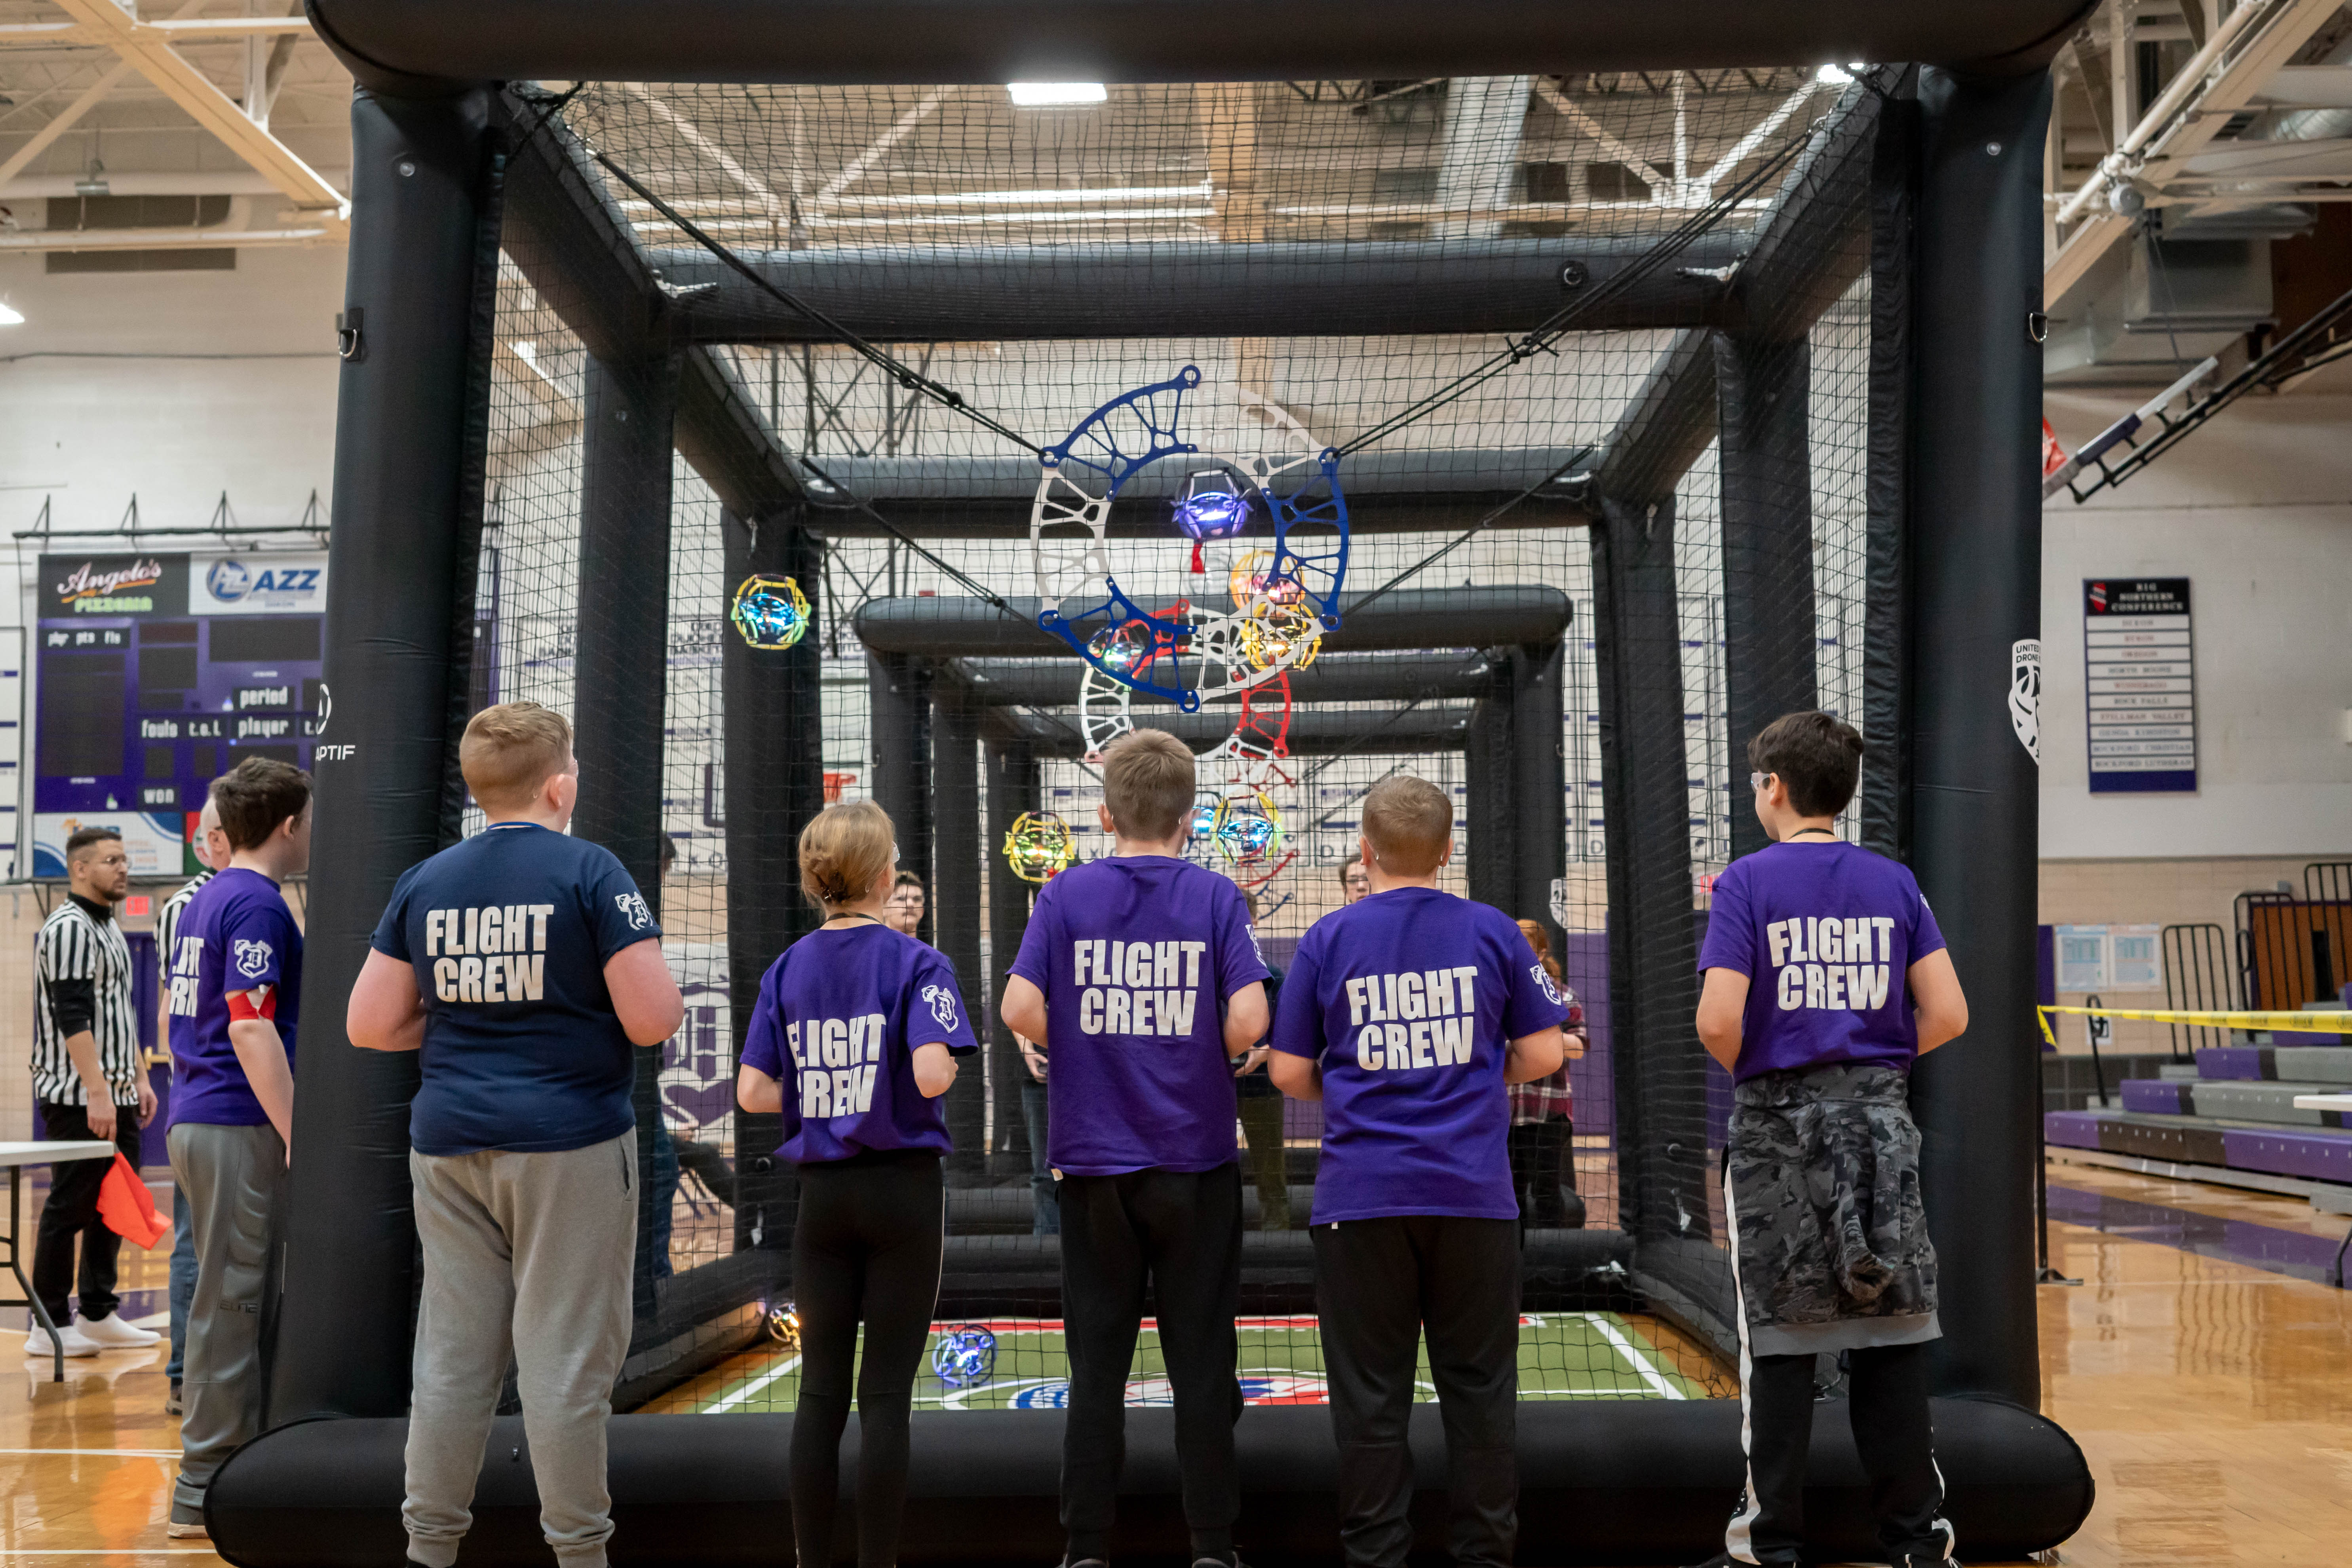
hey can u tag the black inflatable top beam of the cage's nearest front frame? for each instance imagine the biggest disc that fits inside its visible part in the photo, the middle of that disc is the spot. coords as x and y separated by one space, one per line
432 46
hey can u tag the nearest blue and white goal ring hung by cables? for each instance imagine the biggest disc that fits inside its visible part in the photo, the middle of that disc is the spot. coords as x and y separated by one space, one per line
1187 659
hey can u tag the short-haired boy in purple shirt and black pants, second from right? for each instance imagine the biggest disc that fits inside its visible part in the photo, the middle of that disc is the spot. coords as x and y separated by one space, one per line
1408 1014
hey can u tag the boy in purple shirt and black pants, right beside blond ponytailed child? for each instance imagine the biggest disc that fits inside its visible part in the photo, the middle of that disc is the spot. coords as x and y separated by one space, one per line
1142 977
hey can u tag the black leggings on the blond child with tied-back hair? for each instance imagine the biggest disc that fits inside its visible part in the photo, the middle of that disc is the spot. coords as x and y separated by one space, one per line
867 1247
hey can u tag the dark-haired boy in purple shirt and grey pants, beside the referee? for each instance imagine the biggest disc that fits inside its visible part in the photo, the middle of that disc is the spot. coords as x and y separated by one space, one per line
236 991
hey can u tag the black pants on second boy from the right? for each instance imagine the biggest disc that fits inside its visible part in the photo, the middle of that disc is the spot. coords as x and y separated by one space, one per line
1379 1287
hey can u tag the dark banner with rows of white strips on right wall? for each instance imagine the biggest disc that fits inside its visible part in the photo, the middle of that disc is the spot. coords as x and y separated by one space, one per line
2141 685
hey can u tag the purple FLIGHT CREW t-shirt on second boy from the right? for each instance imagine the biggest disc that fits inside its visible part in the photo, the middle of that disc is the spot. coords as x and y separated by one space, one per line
1410 1000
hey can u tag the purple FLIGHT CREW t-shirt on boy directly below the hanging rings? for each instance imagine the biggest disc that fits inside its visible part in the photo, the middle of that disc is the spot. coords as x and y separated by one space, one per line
1137 958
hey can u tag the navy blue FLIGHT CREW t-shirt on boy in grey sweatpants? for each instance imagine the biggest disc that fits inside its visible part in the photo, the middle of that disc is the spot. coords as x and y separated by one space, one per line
509 934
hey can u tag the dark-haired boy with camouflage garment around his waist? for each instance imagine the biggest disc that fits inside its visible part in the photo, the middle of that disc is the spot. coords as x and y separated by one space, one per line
1826 979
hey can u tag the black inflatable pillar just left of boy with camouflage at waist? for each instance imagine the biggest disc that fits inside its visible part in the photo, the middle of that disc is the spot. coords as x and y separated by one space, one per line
1662 1106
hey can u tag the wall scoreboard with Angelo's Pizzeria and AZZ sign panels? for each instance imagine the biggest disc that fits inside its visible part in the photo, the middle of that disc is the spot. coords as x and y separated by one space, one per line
159 674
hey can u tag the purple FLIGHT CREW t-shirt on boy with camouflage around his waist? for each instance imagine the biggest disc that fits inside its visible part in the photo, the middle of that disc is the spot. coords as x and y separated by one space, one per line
1826 937
